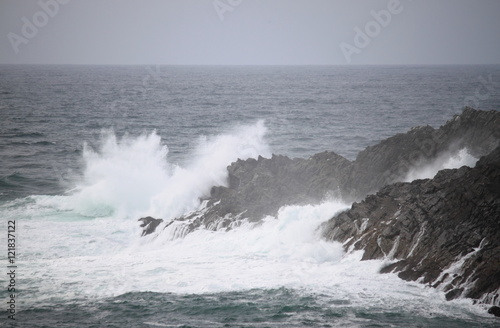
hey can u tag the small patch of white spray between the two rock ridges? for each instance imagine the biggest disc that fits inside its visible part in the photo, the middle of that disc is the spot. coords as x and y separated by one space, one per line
447 161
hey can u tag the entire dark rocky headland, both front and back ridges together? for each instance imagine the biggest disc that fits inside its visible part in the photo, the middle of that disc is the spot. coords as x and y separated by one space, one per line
442 231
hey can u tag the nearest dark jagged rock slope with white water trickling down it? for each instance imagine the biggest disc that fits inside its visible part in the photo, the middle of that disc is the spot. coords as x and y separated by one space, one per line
444 231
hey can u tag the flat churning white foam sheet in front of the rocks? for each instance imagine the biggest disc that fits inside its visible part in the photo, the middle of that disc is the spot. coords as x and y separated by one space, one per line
104 257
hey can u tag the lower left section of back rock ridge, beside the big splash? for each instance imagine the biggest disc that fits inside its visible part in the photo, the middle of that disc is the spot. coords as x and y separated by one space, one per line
260 187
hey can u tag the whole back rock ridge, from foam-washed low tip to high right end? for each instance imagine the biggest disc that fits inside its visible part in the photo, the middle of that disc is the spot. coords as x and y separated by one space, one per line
259 187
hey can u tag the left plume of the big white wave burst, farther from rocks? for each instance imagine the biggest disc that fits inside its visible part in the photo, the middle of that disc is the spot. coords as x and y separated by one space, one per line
119 178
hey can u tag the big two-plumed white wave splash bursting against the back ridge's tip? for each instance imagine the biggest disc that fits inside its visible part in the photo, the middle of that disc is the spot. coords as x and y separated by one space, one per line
131 177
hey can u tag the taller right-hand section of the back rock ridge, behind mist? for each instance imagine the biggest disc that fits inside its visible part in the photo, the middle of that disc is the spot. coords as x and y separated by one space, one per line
391 159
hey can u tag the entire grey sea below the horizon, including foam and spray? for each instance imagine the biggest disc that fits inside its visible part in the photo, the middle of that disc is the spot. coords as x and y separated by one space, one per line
87 150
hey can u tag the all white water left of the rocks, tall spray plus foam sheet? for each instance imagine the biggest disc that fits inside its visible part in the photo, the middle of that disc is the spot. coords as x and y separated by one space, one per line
87 245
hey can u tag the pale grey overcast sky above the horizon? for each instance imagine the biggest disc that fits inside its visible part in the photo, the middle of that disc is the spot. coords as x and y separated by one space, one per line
250 32
